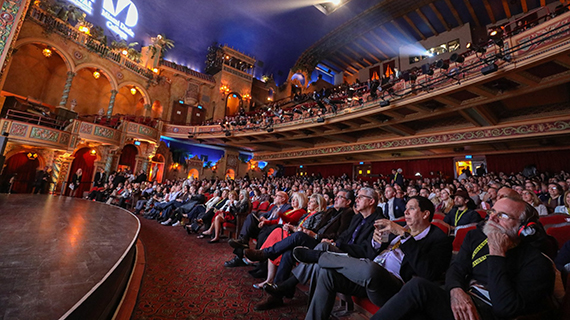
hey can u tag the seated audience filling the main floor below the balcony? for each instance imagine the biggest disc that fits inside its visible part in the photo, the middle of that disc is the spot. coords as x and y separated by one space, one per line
364 223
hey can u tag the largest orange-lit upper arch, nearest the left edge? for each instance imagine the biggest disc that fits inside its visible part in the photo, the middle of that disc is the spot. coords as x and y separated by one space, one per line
37 71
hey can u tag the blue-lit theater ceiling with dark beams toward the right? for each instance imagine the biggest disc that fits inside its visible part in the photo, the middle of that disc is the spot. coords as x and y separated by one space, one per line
282 33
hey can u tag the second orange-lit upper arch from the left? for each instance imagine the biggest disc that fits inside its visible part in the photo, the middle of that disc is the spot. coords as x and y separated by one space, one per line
91 91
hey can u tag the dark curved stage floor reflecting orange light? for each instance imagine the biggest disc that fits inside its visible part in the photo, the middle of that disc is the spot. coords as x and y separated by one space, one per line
63 257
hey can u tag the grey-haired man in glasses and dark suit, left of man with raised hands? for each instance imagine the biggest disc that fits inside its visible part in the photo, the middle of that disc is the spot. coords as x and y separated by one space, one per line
356 241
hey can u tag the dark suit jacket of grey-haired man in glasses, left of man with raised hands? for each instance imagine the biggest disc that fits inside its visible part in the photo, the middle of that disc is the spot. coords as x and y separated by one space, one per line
362 246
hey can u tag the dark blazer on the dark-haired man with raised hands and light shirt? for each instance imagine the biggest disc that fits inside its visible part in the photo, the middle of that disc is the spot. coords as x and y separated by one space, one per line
427 258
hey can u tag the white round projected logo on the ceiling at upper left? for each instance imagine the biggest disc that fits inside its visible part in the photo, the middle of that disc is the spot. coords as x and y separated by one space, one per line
121 17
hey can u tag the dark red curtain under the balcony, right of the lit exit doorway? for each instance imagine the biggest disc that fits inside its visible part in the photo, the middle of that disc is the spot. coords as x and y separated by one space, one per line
551 161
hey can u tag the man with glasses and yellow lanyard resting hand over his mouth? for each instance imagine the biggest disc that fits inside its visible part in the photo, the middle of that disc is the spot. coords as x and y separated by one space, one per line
498 274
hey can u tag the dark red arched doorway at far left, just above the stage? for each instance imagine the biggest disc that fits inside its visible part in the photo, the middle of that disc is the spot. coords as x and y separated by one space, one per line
23 169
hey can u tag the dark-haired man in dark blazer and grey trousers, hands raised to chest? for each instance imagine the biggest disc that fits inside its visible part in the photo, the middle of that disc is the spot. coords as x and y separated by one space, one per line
417 250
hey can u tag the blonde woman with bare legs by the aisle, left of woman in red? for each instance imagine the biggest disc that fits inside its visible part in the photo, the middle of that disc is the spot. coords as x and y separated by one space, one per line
228 213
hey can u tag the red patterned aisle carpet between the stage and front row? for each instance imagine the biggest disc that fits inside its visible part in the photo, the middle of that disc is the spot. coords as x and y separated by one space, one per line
185 278
